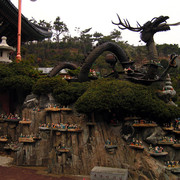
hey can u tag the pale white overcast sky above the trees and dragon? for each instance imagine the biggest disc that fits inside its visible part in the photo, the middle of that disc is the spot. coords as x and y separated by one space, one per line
98 14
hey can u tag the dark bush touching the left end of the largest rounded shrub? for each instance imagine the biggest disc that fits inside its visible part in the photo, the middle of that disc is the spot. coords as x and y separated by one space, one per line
69 94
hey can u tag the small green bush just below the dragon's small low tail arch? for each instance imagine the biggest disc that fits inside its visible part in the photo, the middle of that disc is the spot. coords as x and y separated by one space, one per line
46 85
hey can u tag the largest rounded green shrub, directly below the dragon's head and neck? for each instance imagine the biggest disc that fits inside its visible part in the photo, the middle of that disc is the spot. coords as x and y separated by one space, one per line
125 97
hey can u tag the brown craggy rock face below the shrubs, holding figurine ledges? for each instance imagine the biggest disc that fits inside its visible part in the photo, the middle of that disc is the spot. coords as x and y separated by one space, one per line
86 149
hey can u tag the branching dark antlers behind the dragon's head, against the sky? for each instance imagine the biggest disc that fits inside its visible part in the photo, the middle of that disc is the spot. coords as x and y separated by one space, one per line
126 25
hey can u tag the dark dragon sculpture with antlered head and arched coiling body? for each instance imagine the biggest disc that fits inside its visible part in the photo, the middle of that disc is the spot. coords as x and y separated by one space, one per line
147 32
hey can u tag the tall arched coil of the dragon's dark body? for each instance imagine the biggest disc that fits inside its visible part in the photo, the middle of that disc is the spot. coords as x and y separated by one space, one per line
108 46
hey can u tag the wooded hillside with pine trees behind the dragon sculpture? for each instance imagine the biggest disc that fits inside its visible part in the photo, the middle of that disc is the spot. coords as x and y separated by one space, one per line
63 47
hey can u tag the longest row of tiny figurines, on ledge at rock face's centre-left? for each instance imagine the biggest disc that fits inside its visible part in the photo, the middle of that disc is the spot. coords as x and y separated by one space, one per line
60 126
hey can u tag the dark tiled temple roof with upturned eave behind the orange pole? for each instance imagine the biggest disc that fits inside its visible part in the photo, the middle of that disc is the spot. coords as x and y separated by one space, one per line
9 25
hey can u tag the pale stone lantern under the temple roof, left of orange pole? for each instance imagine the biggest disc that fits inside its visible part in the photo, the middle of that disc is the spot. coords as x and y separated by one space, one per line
5 51
